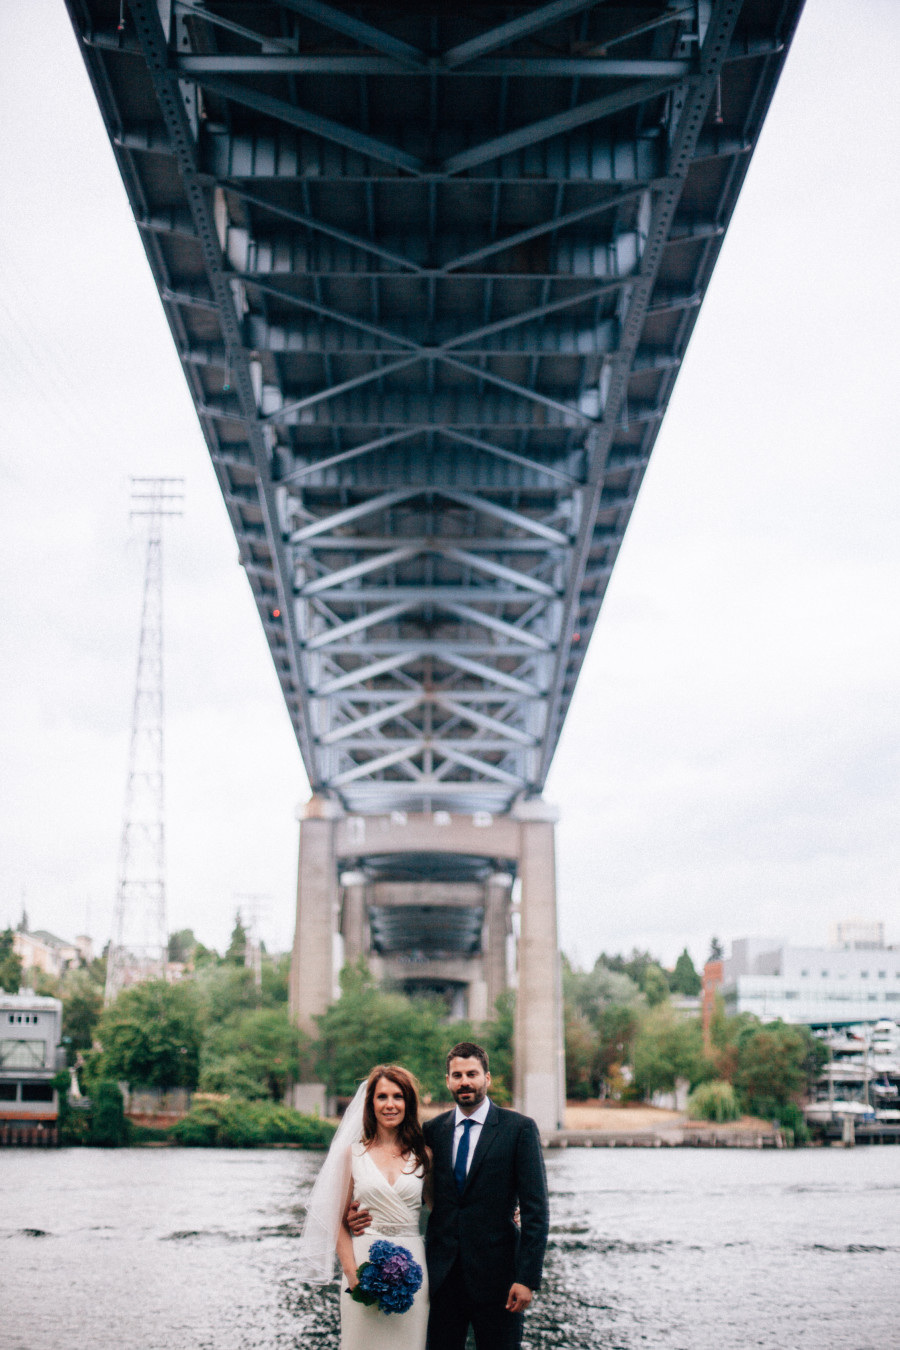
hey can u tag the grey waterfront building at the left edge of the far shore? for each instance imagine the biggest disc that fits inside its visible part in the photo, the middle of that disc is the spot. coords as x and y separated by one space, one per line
30 1056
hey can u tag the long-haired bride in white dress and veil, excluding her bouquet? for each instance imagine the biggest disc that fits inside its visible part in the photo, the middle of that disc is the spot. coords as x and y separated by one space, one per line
380 1159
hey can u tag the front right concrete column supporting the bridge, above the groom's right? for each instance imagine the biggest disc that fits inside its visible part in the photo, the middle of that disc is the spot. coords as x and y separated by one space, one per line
539 1079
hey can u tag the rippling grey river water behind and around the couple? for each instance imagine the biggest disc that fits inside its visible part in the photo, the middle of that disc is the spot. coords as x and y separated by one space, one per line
678 1249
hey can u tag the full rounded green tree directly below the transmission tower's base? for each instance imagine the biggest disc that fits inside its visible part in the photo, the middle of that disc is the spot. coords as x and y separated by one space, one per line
152 1036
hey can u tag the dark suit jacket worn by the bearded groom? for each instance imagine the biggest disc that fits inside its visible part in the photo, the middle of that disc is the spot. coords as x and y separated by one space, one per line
477 1226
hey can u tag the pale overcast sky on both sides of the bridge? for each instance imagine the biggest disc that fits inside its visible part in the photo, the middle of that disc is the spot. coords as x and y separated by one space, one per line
731 761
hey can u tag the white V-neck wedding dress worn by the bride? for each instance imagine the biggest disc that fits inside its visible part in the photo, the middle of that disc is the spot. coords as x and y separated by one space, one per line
396 1212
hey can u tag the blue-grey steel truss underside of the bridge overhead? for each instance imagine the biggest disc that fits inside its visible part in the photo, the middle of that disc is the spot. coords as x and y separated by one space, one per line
431 276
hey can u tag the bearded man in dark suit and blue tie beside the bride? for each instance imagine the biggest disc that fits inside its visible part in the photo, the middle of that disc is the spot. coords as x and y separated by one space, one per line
482 1267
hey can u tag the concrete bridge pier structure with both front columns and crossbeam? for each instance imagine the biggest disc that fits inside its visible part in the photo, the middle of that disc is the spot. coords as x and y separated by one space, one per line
428 898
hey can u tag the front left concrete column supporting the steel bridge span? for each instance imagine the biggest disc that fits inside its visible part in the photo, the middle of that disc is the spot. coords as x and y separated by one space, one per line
312 969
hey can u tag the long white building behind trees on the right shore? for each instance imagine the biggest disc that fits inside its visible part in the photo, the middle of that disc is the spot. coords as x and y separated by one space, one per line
814 985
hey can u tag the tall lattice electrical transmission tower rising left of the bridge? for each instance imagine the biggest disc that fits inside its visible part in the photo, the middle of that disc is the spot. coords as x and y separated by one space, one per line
140 939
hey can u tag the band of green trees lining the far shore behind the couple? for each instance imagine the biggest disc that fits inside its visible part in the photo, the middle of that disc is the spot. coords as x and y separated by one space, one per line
225 1032
